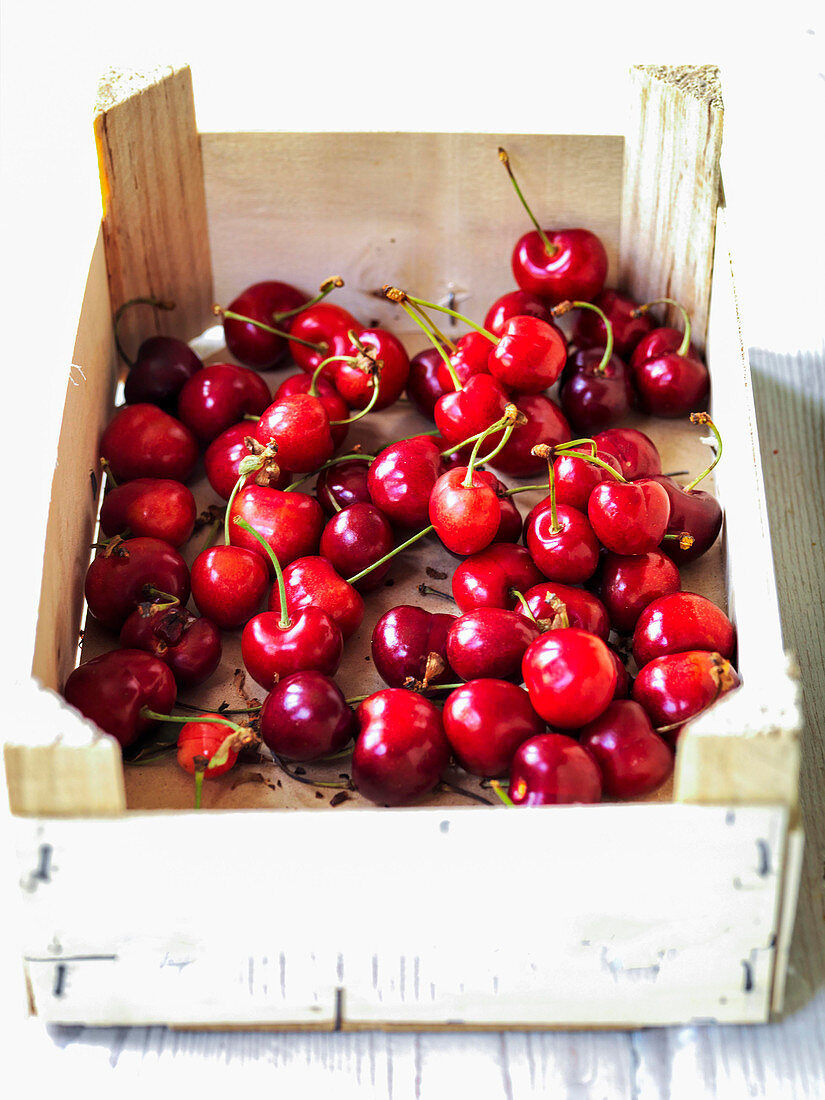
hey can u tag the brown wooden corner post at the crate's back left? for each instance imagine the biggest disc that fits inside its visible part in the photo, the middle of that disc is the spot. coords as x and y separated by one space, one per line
155 205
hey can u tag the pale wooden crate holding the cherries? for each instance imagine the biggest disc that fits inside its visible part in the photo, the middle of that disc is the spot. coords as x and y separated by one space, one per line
273 909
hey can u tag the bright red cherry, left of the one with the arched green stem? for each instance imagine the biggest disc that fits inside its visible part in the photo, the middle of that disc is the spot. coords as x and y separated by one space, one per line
229 585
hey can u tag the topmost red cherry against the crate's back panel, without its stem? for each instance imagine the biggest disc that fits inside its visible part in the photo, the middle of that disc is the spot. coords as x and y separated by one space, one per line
577 271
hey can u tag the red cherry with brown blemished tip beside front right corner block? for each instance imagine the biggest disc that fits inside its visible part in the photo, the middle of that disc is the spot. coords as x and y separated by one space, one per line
678 687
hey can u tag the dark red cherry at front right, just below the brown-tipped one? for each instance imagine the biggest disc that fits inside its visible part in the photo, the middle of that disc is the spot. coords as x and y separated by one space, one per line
633 760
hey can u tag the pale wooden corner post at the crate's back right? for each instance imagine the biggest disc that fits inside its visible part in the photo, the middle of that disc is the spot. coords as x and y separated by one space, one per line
673 188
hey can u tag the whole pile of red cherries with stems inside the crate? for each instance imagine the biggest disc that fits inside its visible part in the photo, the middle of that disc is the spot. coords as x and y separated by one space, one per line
530 684
